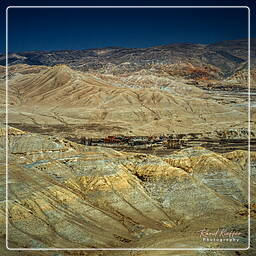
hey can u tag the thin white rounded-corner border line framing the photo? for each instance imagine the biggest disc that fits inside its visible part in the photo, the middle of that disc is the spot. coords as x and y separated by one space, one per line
135 249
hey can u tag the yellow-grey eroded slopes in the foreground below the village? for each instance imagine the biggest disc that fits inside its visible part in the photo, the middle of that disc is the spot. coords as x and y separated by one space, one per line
62 194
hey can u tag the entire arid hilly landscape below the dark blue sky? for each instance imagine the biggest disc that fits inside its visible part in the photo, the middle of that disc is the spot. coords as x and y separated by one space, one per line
129 148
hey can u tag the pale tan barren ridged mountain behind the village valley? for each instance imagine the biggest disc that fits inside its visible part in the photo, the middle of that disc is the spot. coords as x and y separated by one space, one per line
110 105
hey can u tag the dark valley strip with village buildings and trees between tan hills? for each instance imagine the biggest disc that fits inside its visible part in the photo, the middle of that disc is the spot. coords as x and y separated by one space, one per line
219 141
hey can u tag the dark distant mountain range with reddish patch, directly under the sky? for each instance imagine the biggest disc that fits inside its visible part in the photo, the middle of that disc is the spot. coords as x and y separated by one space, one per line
223 58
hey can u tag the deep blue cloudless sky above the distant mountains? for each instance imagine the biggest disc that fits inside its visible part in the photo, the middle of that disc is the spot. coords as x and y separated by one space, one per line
31 29
